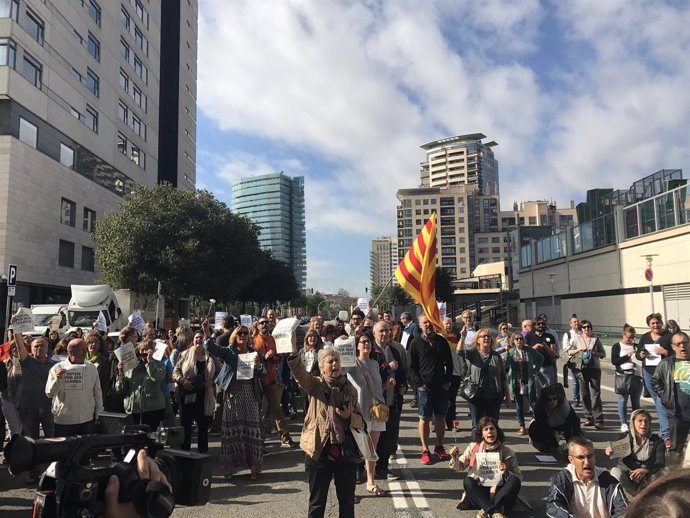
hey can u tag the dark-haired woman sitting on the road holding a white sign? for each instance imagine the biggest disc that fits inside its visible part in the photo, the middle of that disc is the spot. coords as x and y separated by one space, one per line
495 500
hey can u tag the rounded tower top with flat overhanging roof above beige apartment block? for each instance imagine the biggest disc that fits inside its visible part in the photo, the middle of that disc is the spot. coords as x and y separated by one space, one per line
461 160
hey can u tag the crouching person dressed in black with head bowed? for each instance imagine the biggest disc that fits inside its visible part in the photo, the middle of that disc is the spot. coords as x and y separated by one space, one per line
553 417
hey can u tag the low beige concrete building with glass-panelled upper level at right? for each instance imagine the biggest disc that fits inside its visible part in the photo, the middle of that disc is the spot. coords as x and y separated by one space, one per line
597 268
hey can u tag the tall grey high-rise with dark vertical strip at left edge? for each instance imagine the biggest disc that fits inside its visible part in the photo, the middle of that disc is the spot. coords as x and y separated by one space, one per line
80 99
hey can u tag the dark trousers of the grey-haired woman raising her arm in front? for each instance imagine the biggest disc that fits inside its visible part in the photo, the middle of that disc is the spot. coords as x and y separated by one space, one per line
320 473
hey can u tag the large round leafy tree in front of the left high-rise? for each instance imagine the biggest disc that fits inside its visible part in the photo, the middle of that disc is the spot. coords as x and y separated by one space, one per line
186 239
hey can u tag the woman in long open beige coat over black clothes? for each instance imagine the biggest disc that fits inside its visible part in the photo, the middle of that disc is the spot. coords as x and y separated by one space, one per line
195 393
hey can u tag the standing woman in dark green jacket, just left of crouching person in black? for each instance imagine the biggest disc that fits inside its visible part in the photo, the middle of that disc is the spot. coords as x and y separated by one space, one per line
522 364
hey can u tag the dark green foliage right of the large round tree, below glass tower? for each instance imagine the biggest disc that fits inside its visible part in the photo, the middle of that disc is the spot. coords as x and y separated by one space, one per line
276 283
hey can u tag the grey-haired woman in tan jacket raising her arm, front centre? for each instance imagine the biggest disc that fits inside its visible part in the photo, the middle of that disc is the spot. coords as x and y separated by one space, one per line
328 442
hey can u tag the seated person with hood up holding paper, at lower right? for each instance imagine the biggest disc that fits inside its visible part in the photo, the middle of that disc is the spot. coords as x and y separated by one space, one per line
647 456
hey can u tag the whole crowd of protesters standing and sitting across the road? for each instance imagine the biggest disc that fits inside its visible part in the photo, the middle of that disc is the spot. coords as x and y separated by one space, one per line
351 415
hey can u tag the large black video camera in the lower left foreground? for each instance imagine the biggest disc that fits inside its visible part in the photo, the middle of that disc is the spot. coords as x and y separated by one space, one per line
71 488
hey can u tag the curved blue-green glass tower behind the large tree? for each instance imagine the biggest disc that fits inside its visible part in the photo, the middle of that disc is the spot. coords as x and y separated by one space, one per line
275 202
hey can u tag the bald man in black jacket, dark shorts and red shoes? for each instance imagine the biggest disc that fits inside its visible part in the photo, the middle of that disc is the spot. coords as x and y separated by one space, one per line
430 372
